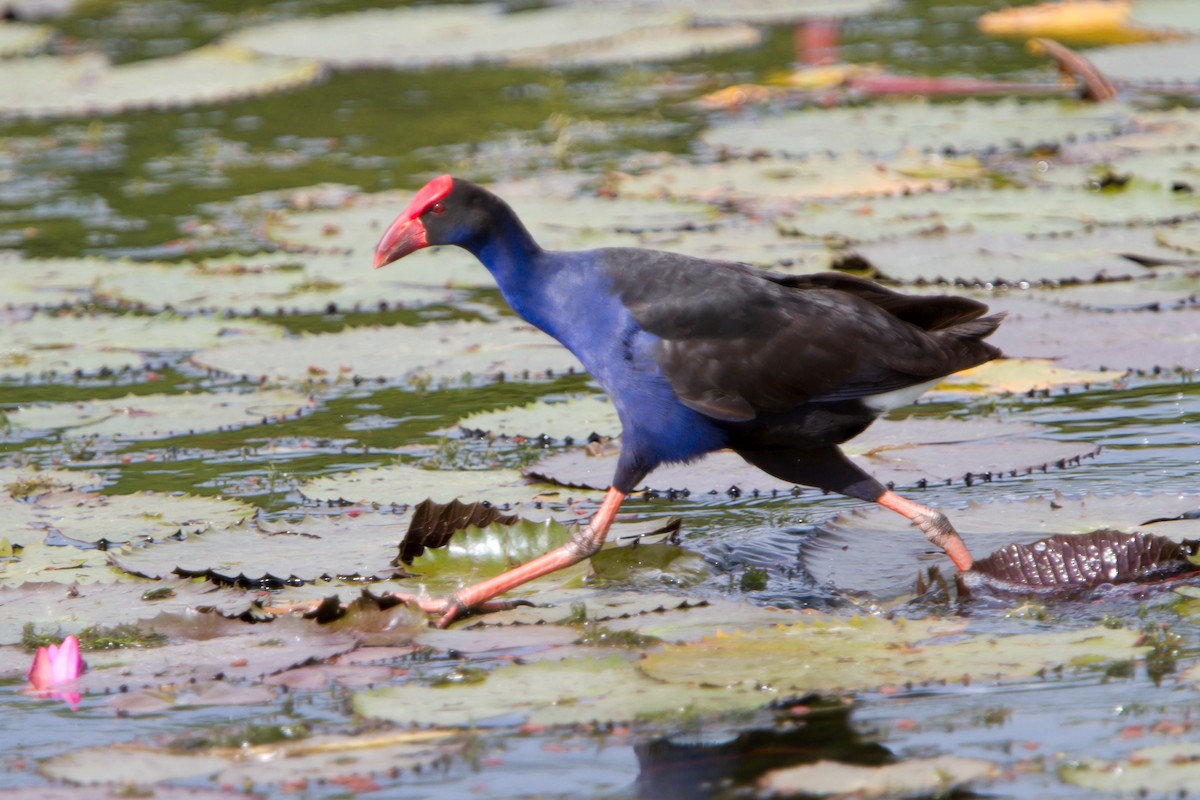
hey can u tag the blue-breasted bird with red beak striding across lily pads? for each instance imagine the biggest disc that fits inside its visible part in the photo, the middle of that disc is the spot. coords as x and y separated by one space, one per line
700 356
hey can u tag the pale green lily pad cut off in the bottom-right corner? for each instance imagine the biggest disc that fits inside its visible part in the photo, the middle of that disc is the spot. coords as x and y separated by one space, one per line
1161 769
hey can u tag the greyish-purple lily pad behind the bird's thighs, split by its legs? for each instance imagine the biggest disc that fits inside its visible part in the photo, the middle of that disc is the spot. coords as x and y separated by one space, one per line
905 453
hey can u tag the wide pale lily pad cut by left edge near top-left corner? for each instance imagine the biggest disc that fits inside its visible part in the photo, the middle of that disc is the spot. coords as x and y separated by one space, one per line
86 85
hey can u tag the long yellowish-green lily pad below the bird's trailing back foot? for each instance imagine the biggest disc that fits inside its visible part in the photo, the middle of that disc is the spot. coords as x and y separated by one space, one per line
868 653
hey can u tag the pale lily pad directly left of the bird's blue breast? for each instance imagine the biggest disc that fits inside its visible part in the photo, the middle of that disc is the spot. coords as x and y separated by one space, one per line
446 352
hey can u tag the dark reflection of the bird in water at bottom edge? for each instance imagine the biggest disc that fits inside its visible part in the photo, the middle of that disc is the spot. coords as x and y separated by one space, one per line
728 762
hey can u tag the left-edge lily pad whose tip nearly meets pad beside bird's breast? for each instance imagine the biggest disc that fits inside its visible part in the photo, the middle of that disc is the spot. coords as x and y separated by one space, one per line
50 344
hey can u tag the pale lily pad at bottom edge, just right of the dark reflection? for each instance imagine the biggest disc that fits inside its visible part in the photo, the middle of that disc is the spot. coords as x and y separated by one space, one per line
916 777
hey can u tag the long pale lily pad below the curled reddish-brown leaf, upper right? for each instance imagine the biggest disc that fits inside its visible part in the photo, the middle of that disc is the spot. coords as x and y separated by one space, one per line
970 127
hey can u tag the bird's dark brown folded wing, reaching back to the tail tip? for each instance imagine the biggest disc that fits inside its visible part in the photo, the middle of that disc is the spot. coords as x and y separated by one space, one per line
737 341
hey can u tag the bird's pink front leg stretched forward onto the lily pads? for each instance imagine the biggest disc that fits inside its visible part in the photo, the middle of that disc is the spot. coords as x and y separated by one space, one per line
585 544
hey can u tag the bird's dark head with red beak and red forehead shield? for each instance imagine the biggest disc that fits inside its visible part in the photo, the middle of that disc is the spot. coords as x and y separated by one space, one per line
445 212
